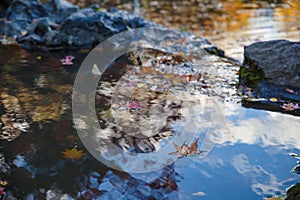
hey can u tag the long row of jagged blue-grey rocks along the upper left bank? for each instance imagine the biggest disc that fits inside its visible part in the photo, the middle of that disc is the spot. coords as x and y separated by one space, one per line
58 25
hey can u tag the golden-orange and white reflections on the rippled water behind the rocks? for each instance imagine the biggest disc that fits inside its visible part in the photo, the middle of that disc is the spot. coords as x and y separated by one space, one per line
228 24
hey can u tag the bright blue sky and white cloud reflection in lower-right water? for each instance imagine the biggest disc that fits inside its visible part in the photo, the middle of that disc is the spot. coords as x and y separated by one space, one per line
250 160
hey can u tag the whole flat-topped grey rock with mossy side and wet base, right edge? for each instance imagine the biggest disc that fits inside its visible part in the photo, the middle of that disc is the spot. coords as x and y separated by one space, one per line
272 70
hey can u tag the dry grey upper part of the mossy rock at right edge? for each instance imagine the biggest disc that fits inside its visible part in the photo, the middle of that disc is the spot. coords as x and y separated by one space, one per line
278 60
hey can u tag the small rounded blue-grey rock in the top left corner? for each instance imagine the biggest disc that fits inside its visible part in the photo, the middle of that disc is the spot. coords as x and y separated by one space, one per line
25 10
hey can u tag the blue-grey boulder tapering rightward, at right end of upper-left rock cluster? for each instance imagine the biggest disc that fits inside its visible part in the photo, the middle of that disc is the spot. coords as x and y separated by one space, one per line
93 27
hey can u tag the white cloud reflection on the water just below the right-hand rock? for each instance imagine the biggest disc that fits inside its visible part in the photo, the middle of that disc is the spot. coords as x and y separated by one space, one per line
262 128
